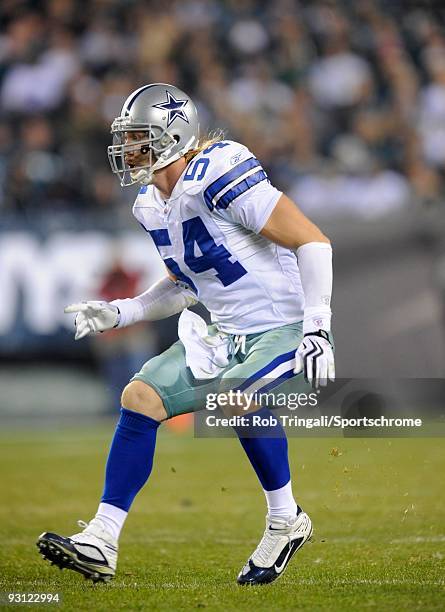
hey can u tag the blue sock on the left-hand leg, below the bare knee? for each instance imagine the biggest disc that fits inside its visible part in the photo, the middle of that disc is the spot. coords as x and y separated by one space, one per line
130 459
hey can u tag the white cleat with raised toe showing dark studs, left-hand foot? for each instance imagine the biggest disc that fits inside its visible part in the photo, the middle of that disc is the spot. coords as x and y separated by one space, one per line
92 552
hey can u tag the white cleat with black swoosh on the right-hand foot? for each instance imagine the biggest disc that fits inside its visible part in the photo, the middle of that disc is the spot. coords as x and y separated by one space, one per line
281 540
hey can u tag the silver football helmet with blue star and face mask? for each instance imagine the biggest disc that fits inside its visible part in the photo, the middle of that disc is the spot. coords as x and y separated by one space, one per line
166 122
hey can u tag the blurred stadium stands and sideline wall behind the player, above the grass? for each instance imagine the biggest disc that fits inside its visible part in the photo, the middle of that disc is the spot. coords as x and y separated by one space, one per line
344 104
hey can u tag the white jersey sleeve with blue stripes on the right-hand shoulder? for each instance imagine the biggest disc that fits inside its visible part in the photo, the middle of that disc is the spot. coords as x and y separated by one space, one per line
236 187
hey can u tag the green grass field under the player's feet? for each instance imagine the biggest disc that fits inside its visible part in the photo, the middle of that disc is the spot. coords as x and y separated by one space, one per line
378 508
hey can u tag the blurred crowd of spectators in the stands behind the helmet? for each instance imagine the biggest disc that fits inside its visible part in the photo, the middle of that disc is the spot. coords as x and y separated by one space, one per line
342 101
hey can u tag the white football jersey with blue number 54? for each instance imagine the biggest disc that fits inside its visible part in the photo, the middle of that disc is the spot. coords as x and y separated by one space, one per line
207 233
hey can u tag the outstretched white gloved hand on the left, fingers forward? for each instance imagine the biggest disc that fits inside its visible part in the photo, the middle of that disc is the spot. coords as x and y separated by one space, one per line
93 317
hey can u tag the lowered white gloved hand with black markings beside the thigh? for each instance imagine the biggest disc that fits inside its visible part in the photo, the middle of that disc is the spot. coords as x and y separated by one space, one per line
315 358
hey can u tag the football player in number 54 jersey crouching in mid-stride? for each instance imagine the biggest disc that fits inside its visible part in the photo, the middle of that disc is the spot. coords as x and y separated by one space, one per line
230 240
